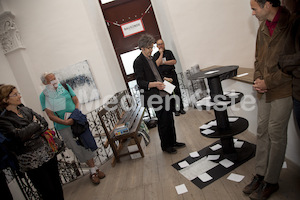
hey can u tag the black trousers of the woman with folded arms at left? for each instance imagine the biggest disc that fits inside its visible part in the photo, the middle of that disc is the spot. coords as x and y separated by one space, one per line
47 181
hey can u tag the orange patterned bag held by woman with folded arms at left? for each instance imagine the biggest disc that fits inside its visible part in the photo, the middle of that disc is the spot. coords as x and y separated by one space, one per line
56 144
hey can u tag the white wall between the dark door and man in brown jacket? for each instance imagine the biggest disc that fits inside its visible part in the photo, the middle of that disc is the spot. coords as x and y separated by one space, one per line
208 33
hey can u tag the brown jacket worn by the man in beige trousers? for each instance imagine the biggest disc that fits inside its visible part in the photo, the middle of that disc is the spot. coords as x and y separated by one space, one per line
267 54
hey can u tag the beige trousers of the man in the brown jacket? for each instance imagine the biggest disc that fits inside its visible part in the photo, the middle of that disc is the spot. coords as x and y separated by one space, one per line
273 119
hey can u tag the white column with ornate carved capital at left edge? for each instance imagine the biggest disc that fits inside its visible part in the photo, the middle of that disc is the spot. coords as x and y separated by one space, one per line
18 60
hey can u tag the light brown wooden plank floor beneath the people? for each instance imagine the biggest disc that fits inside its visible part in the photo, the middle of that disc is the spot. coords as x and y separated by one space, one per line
153 177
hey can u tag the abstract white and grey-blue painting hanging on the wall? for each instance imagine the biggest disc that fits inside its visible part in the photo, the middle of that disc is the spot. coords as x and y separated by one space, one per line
80 78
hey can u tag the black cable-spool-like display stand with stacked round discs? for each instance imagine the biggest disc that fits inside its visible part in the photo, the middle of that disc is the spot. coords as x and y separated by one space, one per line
226 127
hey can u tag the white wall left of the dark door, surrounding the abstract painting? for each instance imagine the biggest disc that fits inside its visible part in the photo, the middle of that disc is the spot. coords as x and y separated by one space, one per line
59 33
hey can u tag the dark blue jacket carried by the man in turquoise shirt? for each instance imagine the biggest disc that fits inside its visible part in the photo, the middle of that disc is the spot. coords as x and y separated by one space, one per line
86 138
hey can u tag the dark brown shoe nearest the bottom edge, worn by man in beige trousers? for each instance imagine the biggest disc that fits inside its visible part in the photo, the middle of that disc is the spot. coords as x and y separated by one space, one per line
264 191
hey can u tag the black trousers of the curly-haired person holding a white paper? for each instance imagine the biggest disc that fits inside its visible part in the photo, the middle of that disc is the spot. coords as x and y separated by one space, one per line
166 128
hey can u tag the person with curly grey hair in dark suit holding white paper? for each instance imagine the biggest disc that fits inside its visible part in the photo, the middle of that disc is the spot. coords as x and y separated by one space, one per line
151 86
